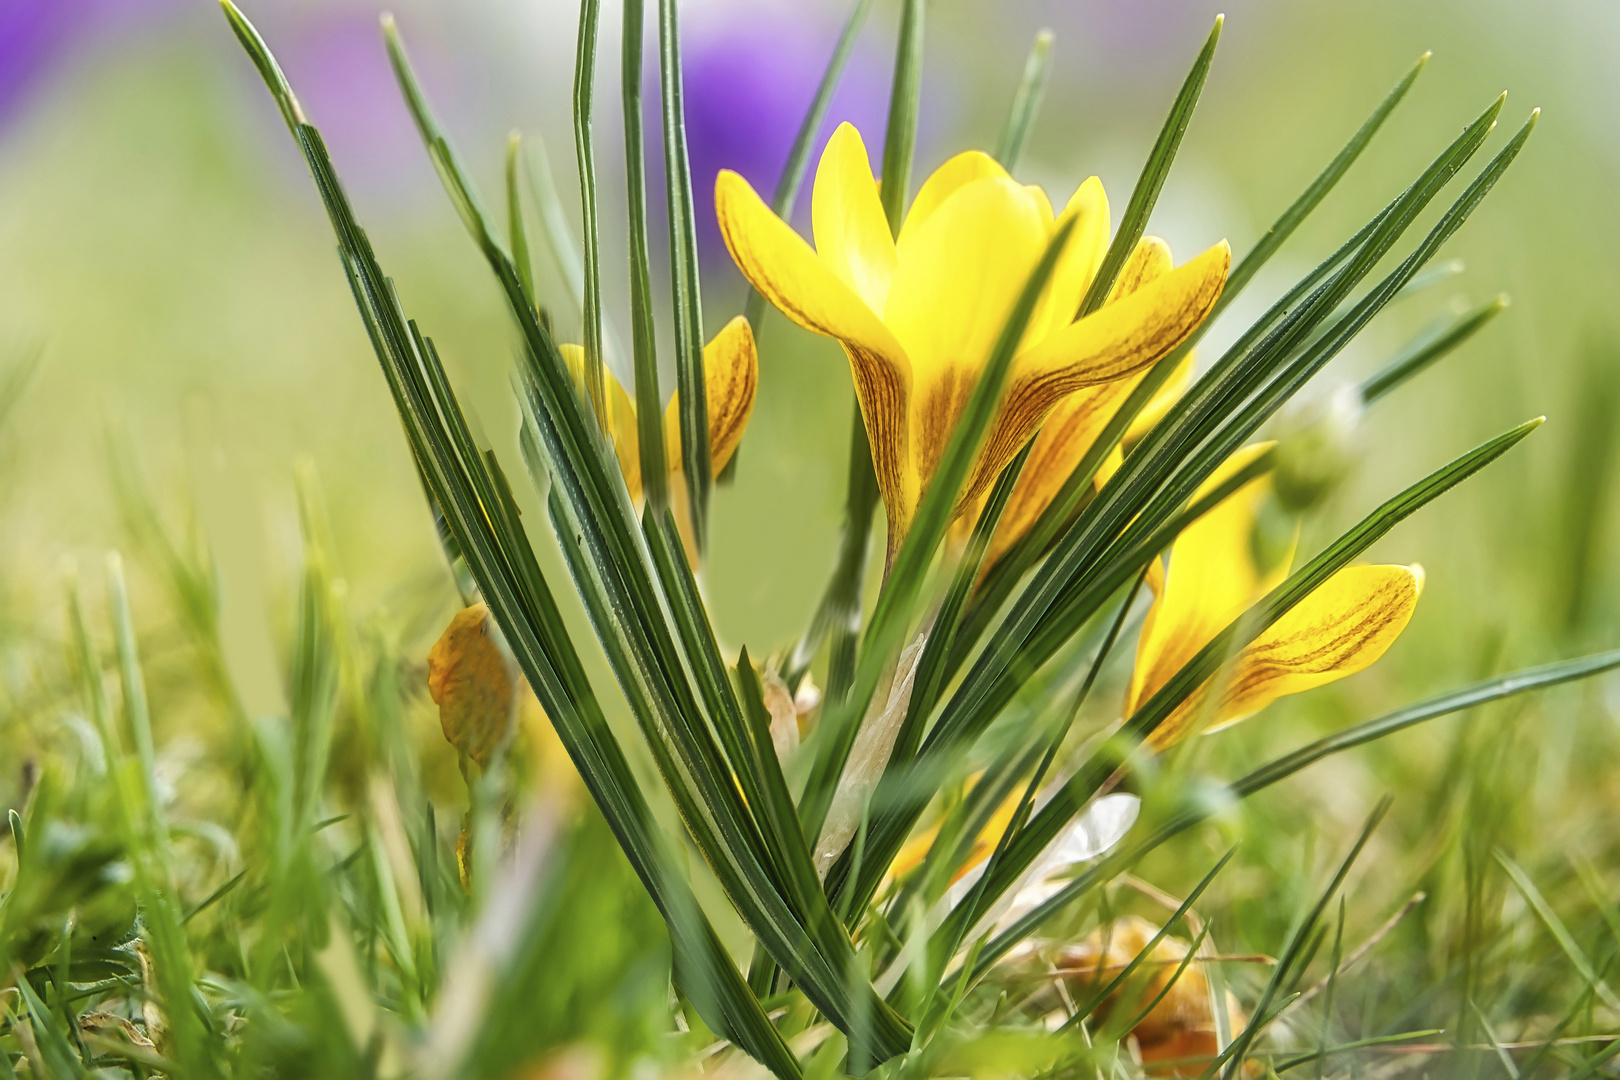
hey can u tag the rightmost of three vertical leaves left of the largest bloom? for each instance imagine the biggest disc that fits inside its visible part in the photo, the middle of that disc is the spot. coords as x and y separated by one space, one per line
684 279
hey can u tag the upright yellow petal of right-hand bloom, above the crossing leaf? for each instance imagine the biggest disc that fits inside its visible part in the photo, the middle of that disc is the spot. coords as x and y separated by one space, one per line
1211 580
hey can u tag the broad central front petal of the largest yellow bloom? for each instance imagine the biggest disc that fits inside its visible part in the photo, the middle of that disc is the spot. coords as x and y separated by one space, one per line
958 279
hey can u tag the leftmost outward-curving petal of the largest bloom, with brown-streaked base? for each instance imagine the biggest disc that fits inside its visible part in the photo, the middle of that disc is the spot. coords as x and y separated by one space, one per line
785 270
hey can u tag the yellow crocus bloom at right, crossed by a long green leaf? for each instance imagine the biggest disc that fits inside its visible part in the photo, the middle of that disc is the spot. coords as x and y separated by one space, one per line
1337 631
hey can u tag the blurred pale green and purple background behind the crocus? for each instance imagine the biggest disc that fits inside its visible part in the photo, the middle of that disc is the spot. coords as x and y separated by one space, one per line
163 247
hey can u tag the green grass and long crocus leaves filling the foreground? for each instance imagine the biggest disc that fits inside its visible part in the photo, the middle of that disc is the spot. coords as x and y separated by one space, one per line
299 899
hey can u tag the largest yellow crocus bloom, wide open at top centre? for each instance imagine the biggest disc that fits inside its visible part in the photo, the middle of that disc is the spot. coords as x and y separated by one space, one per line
918 315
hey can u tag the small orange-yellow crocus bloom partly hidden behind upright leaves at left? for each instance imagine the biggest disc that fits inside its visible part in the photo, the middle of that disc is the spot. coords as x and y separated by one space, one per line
731 373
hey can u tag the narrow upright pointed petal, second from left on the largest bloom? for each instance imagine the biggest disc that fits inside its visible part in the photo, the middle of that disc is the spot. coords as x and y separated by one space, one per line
851 231
